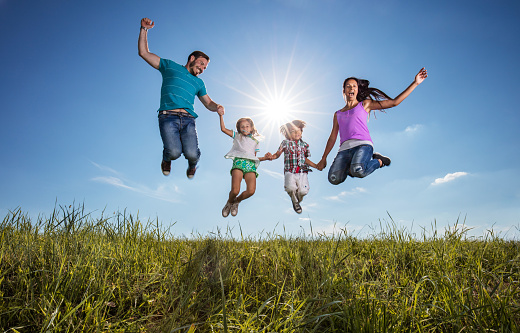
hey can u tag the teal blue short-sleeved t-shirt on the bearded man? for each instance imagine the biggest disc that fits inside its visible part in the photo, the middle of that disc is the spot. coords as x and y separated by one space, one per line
179 87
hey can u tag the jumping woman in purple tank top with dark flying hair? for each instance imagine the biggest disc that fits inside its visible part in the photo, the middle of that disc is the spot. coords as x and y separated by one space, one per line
355 156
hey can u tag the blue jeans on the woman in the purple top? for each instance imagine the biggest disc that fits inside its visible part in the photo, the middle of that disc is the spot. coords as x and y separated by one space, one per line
355 162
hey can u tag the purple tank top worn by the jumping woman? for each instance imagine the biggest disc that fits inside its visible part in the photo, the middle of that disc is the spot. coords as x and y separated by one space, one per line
353 124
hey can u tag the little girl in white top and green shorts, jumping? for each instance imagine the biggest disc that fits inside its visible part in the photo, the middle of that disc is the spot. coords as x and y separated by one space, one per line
245 162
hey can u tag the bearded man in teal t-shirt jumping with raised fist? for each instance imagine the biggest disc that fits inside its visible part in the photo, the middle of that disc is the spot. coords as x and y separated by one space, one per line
180 85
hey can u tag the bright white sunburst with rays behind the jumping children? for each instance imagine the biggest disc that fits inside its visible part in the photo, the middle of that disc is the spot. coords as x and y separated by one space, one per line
280 92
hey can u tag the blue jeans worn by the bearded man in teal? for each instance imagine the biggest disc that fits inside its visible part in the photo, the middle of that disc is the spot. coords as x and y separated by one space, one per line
179 136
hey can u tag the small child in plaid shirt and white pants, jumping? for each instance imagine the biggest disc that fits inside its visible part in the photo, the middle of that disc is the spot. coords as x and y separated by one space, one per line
296 162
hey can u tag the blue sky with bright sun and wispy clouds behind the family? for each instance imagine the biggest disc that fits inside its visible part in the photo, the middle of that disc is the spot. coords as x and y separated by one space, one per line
79 122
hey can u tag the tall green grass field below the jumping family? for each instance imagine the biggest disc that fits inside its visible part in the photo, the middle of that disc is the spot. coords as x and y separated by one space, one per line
70 272
